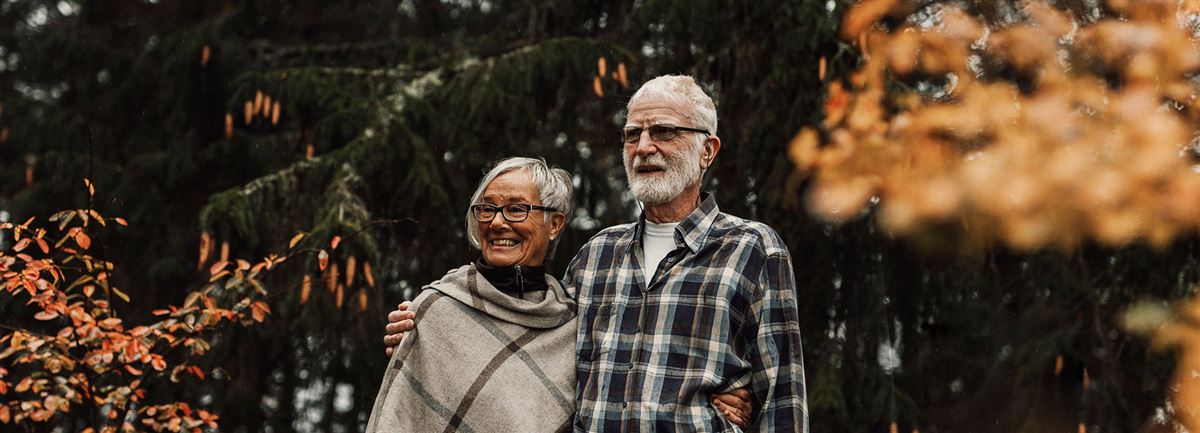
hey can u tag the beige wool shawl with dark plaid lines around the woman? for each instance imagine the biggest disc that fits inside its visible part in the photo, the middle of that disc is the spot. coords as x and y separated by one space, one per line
482 362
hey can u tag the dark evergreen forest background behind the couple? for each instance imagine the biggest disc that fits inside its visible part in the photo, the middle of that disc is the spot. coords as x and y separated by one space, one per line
392 111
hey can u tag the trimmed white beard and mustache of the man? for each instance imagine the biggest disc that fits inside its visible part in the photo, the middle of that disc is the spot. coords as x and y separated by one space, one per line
679 175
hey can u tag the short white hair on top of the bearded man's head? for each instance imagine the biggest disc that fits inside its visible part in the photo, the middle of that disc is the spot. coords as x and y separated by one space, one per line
683 92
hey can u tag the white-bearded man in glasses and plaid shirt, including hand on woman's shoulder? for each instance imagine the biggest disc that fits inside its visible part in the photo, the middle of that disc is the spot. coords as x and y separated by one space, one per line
687 302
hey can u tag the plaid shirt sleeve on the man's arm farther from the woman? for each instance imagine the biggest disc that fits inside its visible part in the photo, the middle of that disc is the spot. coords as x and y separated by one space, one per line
777 359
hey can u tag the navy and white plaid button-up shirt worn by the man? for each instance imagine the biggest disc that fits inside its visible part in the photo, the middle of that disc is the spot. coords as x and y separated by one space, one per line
719 315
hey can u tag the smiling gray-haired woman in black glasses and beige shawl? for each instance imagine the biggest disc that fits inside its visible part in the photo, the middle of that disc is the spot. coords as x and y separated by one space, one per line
496 348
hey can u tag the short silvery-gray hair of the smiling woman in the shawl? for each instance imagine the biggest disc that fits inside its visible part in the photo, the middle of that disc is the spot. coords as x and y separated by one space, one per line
554 189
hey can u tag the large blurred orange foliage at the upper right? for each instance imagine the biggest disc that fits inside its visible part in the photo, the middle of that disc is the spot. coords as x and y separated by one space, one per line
1047 133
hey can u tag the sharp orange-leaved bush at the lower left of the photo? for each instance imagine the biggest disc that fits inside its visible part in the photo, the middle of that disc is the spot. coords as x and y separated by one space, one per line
82 358
